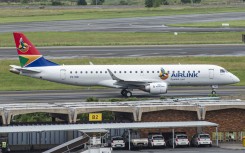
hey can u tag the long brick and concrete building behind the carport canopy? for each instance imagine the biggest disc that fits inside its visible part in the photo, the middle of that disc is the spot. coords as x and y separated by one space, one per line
229 115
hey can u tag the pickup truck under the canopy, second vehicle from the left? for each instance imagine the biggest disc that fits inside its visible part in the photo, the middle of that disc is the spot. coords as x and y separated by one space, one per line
135 140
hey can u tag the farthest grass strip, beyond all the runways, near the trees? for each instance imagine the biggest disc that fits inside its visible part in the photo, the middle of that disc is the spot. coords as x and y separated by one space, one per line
13 15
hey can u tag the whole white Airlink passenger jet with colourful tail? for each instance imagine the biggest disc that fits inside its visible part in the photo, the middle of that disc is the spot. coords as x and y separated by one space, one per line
154 79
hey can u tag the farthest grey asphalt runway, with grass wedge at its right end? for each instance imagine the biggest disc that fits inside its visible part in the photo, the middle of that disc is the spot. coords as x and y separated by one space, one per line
137 24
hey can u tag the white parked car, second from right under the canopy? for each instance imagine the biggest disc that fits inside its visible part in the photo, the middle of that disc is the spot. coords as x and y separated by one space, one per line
179 140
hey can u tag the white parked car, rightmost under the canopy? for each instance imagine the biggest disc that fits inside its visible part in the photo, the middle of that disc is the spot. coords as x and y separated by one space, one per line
201 139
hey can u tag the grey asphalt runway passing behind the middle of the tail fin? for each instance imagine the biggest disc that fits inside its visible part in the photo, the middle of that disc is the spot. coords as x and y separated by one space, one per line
133 51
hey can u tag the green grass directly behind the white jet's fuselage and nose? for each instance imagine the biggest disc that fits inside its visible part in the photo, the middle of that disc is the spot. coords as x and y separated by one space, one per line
12 82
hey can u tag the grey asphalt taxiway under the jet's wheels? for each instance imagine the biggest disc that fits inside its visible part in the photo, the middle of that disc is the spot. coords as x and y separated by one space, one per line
64 96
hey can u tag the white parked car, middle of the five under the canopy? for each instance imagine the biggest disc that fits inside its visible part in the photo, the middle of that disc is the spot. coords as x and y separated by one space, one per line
156 141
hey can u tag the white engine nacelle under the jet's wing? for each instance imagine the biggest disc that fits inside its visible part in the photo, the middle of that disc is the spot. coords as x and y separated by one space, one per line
157 88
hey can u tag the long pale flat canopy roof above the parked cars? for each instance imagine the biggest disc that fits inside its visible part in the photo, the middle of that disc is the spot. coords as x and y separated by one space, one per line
134 125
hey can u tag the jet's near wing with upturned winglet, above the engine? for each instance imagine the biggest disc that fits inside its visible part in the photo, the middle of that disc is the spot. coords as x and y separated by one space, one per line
123 82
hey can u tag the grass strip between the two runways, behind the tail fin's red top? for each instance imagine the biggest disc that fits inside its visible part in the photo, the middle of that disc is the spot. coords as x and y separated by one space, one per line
123 38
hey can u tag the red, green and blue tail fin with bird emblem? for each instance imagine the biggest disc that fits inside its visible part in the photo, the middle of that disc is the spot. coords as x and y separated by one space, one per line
29 56
